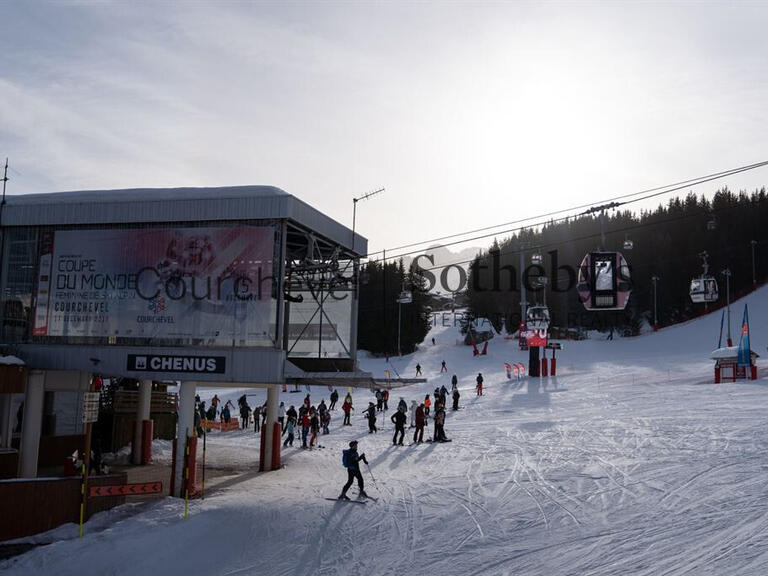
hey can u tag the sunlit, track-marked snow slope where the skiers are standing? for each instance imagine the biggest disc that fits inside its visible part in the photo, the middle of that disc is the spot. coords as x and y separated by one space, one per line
630 461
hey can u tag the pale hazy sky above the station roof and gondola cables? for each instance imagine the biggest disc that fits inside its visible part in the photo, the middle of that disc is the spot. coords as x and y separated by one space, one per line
469 114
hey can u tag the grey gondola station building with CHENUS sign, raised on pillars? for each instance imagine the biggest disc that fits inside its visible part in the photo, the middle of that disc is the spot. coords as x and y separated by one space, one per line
237 286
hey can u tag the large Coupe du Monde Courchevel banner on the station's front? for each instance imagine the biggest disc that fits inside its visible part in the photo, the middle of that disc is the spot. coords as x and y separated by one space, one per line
211 284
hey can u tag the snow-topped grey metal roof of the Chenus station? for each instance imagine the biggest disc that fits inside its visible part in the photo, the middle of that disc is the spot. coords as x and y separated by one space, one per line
178 205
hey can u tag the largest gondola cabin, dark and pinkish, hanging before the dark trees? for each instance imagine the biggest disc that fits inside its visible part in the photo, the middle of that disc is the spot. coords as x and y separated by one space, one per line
604 281
